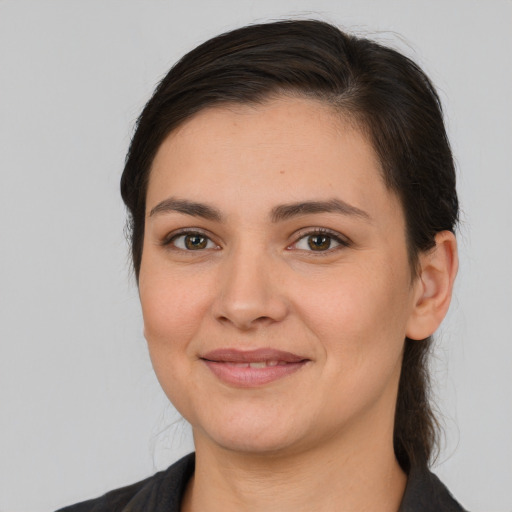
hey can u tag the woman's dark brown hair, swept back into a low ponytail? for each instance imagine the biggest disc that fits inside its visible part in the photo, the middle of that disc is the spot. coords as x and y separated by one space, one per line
388 97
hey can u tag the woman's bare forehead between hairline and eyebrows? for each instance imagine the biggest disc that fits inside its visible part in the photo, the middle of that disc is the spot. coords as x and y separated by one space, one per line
285 148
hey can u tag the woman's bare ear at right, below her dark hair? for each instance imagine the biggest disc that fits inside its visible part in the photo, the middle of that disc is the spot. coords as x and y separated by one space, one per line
433 287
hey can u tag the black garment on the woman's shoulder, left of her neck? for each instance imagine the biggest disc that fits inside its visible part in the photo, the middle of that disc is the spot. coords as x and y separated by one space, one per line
162 491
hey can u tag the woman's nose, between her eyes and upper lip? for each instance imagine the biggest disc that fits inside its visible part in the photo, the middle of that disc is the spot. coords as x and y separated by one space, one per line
250 292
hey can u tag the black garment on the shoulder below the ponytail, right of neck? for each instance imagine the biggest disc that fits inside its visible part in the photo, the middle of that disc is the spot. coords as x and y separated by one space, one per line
426 493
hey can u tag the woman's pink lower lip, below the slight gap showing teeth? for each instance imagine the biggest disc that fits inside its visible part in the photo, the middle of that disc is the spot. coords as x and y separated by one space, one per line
247 377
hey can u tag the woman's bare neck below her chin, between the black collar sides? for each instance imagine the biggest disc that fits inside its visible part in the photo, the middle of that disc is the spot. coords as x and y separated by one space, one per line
333 477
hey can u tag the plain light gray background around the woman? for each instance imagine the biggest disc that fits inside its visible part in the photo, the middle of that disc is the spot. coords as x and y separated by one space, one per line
80 409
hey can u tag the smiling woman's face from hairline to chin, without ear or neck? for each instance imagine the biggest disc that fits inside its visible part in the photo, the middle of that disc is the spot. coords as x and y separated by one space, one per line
275 283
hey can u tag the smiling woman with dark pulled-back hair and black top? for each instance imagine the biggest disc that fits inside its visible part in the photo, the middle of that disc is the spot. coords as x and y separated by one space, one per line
292 203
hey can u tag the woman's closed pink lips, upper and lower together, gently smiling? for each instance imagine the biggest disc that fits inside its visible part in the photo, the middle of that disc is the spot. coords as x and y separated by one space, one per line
252 368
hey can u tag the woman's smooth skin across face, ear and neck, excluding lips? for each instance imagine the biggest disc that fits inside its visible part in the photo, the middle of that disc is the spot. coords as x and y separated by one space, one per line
236 256
